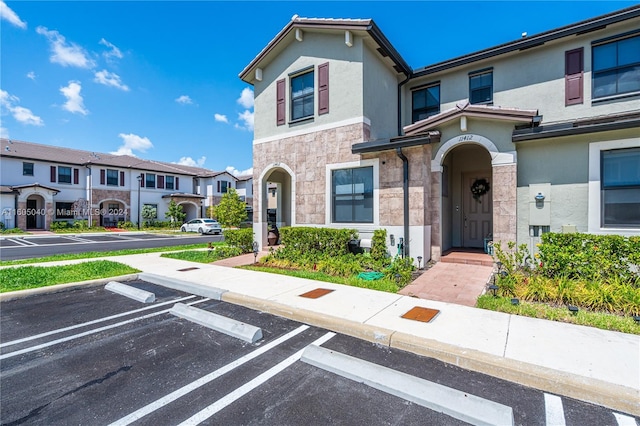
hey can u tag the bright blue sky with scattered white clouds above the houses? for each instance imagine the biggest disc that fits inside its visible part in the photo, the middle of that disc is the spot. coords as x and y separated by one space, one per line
159 79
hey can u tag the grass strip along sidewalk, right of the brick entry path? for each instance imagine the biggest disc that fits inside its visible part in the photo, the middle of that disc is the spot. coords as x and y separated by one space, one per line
605 321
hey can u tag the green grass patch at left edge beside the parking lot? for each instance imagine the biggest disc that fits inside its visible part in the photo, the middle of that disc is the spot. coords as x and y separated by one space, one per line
25 277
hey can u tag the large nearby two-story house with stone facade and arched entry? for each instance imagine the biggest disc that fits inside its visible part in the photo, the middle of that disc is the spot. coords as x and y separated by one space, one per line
354 137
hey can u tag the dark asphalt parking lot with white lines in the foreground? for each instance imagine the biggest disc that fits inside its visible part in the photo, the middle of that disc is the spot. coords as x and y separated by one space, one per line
91 356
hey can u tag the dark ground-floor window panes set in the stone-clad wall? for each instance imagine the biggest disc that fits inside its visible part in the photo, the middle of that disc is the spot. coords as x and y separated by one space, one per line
352 195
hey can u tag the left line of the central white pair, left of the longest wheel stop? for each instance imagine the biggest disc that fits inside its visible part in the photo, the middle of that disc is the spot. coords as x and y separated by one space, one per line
149 408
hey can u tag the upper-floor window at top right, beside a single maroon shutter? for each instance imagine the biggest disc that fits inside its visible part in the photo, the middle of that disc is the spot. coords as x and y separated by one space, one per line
616 67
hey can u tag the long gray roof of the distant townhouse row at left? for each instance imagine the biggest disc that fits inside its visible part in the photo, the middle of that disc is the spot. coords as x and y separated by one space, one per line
56 154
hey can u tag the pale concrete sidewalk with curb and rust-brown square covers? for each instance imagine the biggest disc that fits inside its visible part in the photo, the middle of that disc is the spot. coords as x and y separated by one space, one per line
585 363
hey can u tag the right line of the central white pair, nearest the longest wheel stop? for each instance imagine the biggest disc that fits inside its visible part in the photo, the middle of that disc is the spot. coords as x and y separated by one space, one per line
249 386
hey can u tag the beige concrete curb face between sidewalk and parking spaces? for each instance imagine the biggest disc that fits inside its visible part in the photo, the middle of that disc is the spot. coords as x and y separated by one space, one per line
586 389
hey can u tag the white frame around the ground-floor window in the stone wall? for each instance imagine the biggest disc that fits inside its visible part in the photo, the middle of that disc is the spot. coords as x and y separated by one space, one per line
375 162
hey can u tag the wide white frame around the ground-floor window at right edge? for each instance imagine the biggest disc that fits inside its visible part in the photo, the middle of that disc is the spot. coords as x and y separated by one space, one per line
595 201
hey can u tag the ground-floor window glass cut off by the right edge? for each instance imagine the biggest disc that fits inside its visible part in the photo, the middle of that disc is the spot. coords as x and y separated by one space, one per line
620 185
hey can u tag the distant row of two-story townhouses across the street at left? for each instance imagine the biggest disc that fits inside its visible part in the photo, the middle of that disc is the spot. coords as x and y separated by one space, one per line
42 184
